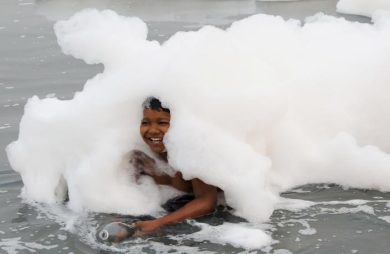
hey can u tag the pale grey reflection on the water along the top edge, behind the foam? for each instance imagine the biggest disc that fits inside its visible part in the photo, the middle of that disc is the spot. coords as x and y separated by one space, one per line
200 12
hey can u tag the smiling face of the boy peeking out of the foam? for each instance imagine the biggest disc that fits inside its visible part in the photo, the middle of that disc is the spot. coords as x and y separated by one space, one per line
154 125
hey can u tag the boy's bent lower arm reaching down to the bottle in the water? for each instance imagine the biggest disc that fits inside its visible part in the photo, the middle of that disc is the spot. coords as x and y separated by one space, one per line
204 203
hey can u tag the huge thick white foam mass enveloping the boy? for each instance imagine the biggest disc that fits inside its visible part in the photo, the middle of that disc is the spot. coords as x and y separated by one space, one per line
263 106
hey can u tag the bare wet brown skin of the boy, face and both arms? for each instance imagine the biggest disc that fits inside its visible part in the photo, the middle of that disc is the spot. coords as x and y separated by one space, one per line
154 125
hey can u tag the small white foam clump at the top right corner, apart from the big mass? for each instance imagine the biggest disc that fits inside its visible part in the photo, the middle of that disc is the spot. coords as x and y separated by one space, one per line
363 7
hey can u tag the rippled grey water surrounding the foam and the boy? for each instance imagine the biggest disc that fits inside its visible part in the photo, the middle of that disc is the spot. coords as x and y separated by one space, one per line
31 63
